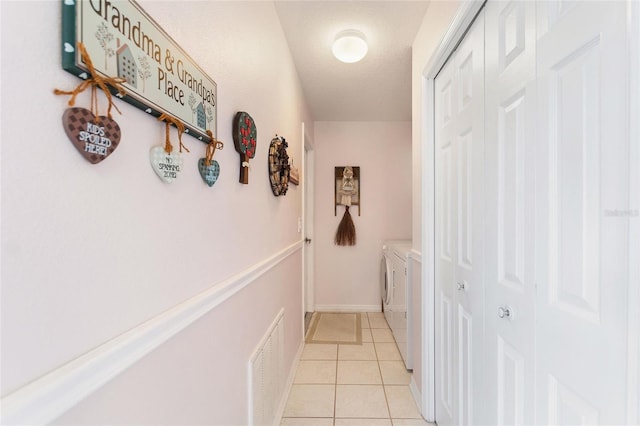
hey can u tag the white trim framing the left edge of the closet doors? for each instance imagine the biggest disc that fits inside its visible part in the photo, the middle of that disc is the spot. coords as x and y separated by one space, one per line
464 17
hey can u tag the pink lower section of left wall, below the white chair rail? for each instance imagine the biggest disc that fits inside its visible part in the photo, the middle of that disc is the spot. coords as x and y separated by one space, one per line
203 379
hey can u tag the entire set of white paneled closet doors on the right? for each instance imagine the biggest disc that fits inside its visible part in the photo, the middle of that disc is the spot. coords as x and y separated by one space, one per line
533 197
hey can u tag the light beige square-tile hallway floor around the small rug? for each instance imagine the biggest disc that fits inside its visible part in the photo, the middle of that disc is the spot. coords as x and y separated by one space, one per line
353 385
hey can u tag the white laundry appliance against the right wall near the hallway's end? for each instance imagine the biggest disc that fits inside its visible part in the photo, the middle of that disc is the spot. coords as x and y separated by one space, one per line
395 291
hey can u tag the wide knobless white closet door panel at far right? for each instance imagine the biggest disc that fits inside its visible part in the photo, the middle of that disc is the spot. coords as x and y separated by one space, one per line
582 249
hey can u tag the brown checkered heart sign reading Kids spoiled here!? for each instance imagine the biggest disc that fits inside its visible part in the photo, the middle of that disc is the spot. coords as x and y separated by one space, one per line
95 138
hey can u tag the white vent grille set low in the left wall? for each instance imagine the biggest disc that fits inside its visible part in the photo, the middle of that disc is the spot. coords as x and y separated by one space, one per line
266 378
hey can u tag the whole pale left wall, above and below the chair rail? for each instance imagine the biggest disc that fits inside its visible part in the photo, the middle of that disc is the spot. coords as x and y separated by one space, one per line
91 251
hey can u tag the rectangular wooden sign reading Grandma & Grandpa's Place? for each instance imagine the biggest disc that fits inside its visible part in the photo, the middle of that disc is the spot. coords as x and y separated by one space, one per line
123 41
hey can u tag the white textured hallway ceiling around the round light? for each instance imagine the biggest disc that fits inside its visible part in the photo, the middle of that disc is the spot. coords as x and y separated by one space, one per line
378 88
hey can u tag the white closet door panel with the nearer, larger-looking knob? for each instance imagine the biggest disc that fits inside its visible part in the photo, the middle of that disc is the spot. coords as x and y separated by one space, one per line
509 204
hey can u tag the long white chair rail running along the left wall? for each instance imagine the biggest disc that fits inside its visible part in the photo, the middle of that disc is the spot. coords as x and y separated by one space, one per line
50 396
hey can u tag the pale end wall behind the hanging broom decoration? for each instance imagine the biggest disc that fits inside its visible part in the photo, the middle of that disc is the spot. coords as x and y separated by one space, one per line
347 277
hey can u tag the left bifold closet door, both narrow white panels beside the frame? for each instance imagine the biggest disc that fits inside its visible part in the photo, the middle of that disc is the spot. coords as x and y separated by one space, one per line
459 264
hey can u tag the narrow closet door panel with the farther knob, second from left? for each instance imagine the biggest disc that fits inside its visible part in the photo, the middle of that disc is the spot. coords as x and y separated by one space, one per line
469 284
